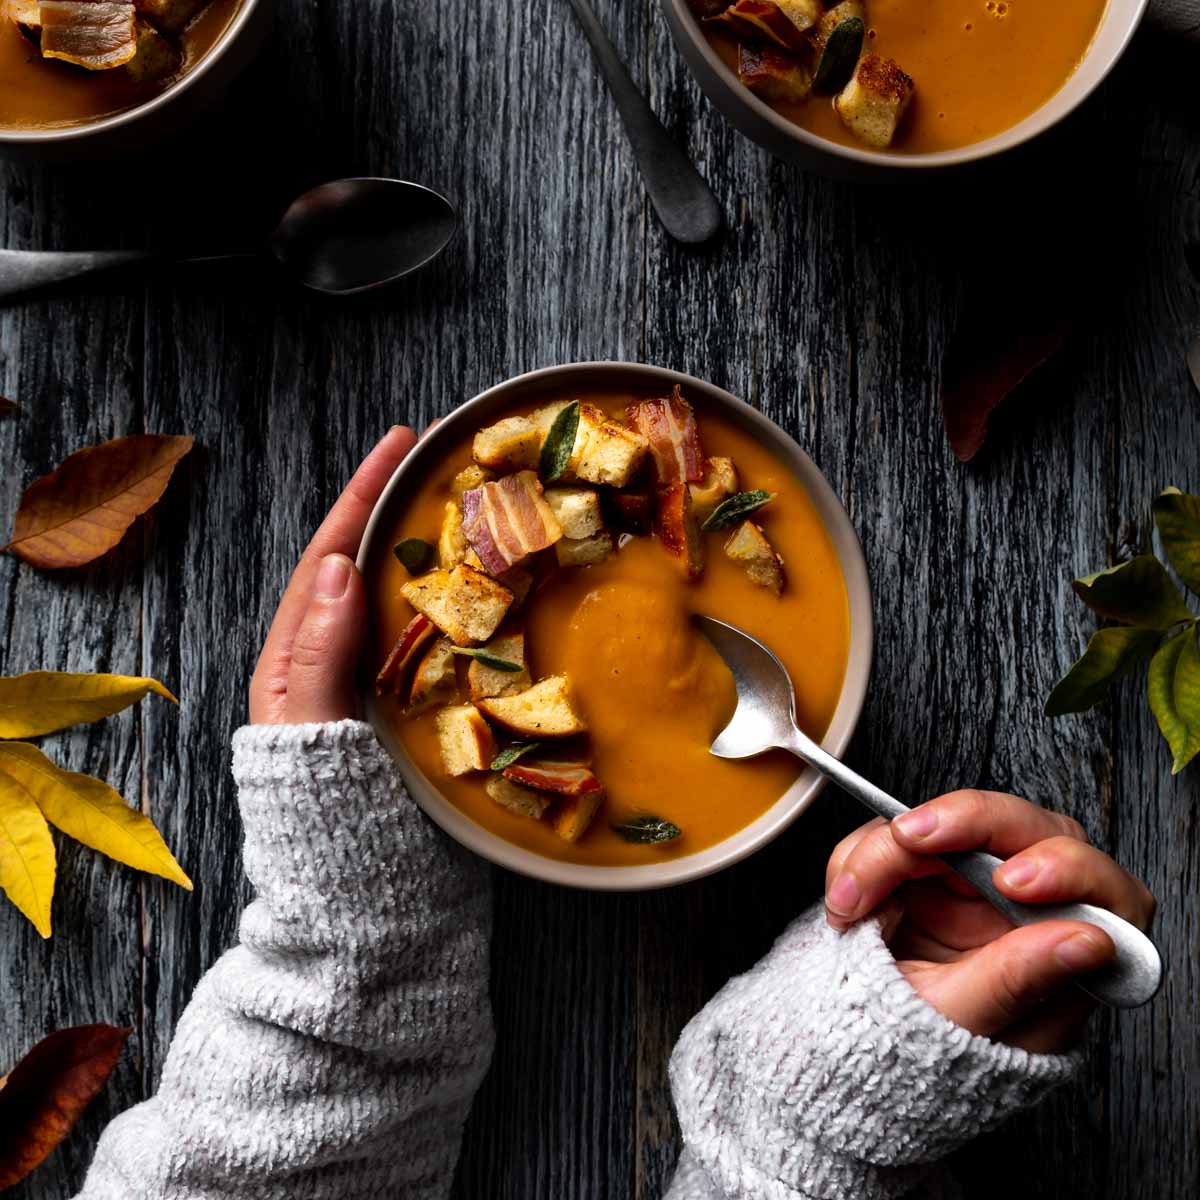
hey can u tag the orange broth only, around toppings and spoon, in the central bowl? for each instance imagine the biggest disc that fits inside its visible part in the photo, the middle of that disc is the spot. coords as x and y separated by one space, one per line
653 692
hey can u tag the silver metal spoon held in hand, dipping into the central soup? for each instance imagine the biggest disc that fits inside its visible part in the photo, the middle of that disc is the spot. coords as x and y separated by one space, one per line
766 719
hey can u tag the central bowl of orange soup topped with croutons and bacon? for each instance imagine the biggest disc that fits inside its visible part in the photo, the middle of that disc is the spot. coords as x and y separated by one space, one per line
532 665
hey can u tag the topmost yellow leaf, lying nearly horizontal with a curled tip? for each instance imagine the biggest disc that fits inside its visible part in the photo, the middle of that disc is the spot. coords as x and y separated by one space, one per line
45 701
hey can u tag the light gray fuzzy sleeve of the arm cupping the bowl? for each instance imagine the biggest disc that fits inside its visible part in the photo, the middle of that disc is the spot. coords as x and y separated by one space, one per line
335 1052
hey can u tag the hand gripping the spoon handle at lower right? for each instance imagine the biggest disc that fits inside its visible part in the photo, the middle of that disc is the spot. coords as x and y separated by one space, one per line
958 952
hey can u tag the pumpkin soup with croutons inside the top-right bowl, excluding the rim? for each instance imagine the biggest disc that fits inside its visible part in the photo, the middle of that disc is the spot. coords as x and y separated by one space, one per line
892 74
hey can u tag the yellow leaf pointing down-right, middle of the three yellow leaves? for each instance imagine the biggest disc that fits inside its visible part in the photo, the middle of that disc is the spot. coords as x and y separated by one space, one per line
91 812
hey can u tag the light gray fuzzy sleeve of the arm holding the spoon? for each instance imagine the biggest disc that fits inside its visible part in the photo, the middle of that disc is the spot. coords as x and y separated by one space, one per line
823 1076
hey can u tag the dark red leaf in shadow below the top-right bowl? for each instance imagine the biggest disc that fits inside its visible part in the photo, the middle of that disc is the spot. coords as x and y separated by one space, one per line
985 362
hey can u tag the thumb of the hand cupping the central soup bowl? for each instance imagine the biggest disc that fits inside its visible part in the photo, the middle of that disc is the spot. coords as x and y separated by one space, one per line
327 647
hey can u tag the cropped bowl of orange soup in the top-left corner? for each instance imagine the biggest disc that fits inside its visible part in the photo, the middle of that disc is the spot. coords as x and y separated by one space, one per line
83 80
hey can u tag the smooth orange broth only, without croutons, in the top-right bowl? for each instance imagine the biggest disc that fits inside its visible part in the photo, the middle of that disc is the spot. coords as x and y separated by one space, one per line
981 67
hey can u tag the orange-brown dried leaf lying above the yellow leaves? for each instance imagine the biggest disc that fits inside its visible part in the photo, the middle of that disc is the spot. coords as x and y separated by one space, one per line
82 511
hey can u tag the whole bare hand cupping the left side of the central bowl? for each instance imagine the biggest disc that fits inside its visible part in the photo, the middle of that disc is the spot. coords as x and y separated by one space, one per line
308 667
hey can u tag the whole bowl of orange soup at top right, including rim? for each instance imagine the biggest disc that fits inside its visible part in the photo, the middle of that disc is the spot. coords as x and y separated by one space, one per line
884 87
